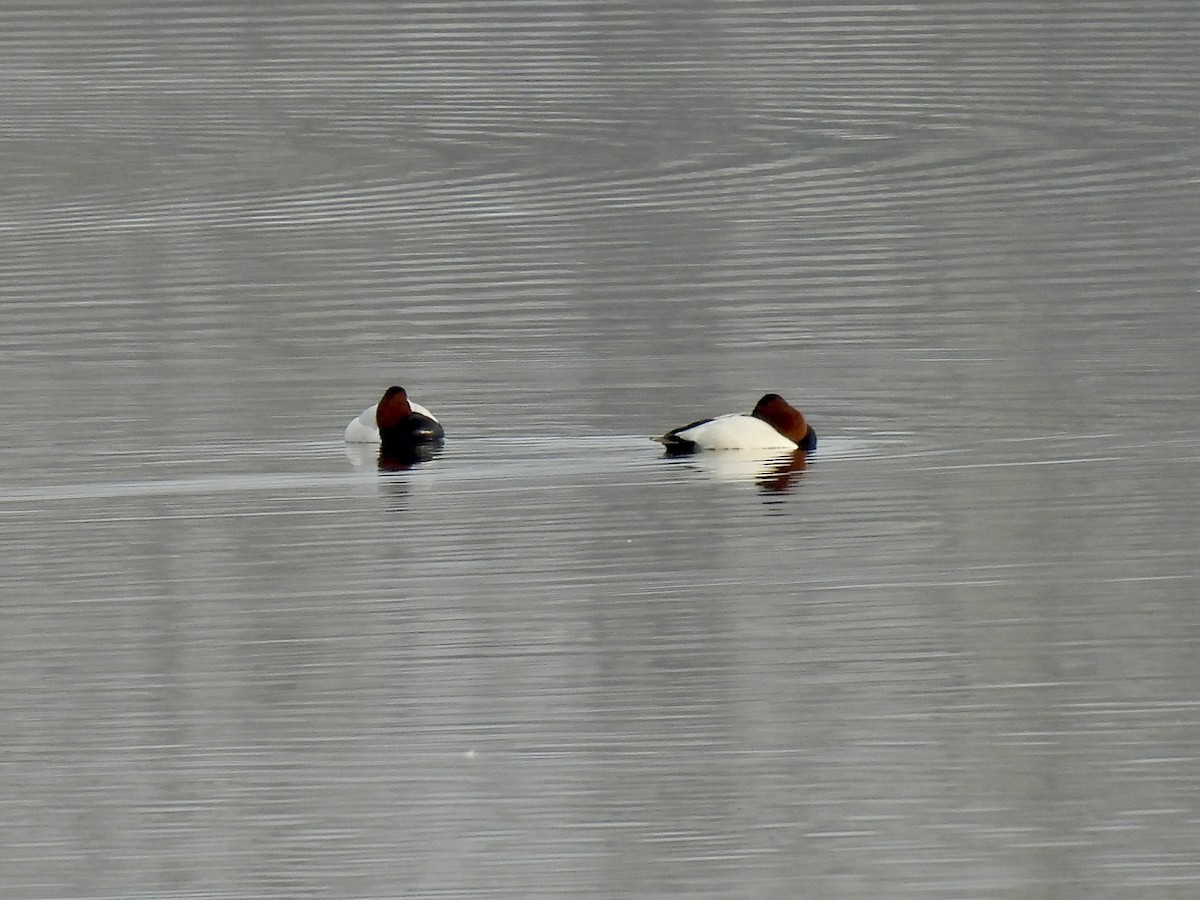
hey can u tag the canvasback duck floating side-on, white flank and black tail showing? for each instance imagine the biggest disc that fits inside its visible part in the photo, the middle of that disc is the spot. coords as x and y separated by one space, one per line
773 425
